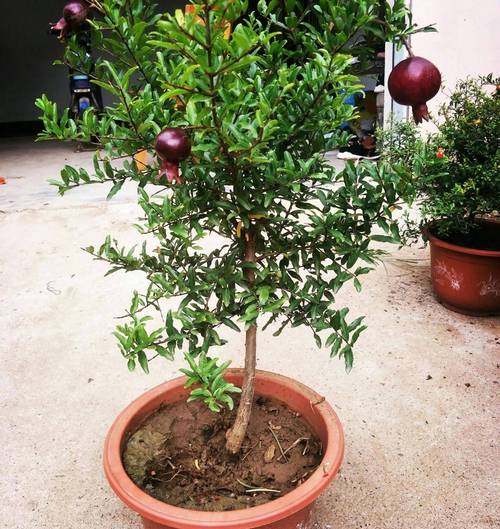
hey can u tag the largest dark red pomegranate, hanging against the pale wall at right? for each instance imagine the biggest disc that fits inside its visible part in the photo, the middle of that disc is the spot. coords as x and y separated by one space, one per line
413 82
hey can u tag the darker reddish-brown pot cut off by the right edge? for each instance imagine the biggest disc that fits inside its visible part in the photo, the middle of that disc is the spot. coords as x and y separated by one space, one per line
465 279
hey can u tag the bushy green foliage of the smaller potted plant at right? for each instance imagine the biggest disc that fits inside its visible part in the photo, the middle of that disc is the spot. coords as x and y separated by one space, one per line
456 170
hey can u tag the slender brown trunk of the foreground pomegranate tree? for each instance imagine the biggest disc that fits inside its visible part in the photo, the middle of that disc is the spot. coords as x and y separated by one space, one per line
236 435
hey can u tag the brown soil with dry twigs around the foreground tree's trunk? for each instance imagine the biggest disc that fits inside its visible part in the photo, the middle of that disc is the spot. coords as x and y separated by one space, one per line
178 456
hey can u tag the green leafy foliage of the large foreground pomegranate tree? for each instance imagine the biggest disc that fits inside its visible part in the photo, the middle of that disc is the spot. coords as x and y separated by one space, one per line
262 107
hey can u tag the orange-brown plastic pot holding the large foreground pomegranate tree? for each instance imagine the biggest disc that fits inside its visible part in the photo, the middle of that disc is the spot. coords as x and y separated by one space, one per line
292 511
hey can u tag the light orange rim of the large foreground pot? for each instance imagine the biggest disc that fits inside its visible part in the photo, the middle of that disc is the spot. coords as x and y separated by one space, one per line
275 510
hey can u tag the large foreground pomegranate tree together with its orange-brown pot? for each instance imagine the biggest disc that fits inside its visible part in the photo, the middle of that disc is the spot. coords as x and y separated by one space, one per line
236 110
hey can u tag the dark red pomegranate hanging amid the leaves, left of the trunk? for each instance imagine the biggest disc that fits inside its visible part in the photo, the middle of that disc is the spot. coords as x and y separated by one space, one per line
173 146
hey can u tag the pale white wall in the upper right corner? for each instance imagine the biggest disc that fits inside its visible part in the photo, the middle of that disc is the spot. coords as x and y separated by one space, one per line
467 42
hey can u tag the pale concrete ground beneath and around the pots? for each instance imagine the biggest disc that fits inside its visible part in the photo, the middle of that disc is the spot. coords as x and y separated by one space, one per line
419 408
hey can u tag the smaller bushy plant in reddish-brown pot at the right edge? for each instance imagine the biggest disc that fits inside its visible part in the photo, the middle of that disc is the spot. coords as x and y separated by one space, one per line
457 190
